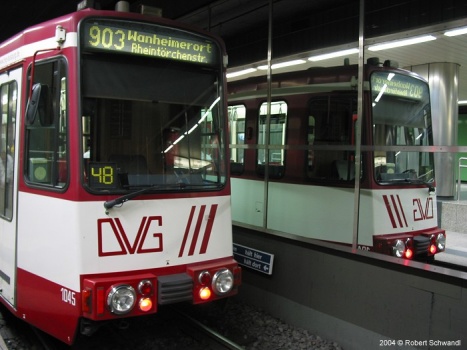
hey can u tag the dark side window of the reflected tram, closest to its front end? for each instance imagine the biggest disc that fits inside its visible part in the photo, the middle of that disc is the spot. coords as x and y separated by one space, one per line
330 126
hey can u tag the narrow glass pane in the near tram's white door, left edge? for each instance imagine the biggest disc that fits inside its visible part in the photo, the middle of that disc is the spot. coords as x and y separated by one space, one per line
9 93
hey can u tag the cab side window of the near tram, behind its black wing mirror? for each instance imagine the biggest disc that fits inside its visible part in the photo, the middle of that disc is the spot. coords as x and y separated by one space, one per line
46 129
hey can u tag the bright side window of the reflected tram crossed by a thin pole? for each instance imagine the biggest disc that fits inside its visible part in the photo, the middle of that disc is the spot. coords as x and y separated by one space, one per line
277 127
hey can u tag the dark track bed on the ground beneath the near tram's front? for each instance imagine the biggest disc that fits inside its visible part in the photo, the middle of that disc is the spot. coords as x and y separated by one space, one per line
172 328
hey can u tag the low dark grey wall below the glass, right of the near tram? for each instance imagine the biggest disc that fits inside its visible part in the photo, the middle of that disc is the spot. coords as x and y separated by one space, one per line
354 300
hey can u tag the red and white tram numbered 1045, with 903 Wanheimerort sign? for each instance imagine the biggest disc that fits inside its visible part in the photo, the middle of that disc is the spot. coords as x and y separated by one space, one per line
115 196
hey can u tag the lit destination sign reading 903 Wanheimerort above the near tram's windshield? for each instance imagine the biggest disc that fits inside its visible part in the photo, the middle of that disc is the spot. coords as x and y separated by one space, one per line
154 41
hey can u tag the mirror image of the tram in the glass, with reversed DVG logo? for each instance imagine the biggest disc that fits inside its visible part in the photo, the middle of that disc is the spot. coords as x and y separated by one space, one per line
306 150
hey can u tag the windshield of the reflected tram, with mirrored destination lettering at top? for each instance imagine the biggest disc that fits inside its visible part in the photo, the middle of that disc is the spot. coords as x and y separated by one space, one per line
401 117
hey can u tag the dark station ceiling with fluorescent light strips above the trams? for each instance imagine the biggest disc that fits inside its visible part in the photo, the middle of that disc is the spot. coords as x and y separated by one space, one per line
300 27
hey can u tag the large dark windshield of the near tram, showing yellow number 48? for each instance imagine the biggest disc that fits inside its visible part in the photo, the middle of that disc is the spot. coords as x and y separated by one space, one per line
151 121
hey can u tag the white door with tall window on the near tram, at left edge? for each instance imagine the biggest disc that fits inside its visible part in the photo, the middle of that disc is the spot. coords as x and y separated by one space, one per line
10 108
